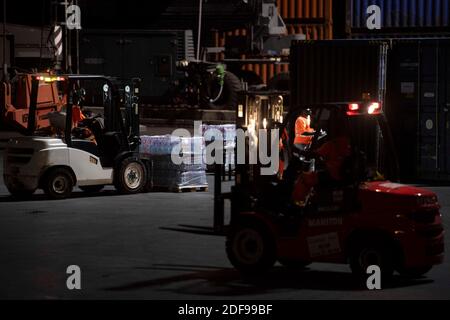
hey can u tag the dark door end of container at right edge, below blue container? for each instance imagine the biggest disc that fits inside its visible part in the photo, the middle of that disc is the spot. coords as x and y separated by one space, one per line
418 103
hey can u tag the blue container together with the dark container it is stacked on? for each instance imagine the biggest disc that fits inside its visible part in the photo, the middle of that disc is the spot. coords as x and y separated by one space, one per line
411 52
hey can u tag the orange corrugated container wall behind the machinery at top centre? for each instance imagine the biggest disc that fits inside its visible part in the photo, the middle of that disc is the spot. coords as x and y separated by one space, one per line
313 18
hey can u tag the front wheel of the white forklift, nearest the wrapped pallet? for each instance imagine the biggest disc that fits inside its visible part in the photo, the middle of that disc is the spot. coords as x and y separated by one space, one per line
130 176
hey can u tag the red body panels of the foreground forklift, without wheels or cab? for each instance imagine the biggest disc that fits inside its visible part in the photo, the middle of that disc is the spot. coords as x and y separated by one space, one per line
408 215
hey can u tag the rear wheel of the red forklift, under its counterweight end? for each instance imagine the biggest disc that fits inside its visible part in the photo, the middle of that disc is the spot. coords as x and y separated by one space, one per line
369 252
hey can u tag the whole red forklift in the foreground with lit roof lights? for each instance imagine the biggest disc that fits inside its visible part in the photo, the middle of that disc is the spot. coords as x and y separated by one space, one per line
363 220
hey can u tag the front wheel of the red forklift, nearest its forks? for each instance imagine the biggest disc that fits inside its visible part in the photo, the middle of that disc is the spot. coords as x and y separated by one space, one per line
250 248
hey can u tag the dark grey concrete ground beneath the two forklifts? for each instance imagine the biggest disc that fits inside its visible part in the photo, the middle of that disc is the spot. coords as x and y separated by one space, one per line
124 251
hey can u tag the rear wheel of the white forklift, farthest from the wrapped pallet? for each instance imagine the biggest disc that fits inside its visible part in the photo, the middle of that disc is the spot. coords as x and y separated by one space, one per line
58 183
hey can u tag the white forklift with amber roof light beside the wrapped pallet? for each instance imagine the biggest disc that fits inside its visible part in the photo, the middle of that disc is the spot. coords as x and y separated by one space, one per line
58 161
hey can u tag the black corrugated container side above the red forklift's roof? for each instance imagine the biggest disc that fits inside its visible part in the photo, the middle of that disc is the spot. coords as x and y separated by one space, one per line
336 71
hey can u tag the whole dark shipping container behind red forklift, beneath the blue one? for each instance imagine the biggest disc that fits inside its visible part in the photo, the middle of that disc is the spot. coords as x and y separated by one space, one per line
411 77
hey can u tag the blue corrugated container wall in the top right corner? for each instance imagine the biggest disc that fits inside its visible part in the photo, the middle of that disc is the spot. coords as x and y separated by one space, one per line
397 16
